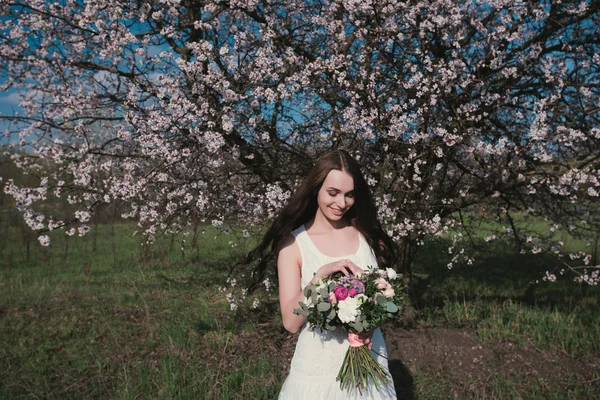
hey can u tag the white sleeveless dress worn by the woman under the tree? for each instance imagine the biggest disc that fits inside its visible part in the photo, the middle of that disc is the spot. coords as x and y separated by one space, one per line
319 355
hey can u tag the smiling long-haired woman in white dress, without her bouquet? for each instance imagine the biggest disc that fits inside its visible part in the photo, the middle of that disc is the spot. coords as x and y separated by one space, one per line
329 225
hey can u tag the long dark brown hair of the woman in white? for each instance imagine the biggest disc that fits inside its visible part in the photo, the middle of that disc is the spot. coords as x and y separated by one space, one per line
303 206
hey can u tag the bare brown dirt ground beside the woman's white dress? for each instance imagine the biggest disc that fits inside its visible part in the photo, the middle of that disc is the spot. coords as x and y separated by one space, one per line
464 367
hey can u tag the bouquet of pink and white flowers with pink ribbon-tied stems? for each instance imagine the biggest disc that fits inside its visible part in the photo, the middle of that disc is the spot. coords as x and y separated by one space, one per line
357 305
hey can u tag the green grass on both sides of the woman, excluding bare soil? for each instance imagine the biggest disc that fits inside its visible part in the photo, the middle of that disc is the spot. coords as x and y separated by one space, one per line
113 319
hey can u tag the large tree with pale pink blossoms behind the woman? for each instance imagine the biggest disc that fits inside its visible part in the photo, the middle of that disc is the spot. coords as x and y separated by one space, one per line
200 110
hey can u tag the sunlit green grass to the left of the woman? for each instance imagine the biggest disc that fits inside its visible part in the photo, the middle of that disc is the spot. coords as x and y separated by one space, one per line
118 323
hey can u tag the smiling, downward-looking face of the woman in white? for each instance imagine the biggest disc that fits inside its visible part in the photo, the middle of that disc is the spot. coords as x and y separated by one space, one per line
336 195
